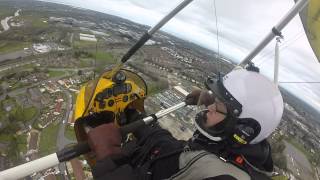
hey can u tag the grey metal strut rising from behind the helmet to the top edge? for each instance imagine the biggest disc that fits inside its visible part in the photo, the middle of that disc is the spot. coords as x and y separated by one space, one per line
283 22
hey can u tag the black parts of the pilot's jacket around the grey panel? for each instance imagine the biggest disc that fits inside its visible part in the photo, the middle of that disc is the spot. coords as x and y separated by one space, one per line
156 153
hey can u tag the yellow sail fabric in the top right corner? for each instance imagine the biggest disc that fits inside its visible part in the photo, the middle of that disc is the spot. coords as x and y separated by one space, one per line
310 17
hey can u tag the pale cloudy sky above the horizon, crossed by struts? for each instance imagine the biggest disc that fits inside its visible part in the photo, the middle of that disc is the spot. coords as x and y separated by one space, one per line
240 26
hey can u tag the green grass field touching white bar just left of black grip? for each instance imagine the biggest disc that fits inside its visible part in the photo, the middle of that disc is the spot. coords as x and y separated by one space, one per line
48 139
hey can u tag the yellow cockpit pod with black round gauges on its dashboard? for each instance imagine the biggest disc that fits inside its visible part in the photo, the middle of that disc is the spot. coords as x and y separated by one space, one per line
106 100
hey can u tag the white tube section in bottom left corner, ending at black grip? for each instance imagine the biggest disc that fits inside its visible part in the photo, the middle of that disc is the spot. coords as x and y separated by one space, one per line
26 169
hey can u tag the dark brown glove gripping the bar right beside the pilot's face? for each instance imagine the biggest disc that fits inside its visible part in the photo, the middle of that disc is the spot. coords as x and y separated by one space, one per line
199 97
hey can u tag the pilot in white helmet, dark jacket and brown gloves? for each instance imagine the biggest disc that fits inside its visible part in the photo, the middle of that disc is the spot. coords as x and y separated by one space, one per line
242 109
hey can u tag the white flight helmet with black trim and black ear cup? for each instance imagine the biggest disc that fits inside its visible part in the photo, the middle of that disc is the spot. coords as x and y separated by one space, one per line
254 106
